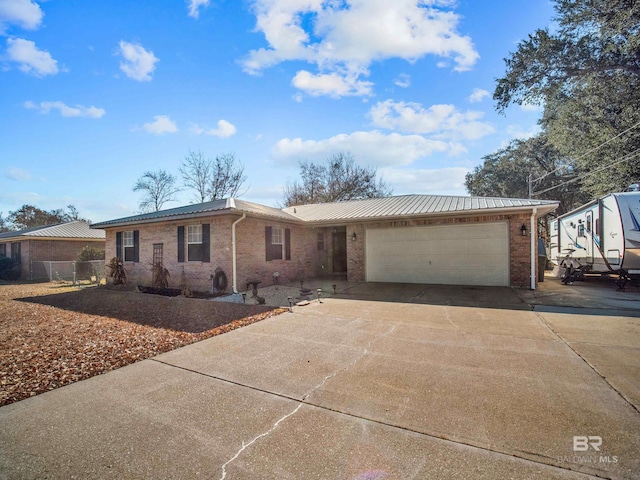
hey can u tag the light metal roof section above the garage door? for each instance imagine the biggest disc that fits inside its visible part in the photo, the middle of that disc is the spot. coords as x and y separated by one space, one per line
412 205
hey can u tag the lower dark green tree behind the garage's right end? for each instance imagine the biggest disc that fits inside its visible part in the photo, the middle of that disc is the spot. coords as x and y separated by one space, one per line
505 173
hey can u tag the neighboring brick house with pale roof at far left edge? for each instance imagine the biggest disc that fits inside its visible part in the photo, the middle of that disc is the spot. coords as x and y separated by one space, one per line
61 242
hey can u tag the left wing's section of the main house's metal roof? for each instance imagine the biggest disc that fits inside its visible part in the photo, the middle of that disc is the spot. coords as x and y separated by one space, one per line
215 207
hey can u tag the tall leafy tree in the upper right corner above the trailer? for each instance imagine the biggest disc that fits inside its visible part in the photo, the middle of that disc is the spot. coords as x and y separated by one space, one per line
586 75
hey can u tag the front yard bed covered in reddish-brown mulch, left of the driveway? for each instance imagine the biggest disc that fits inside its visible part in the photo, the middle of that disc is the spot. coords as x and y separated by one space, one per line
53 335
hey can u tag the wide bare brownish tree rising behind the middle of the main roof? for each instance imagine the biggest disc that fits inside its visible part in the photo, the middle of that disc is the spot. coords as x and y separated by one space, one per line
338 179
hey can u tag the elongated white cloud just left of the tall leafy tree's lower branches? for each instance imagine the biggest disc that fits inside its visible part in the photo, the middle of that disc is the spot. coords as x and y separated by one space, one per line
443 121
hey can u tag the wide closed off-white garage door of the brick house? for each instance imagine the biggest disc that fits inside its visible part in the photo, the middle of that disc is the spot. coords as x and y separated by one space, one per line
451 255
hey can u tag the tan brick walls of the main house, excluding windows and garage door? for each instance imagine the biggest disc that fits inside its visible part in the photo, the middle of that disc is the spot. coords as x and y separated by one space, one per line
307 261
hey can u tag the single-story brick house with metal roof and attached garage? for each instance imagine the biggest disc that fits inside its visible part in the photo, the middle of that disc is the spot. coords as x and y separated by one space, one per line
406 239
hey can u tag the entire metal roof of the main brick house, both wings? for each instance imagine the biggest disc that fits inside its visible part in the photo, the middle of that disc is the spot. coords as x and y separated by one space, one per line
368 209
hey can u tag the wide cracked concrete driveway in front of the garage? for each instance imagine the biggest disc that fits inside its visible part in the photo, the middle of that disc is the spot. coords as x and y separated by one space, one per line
433 382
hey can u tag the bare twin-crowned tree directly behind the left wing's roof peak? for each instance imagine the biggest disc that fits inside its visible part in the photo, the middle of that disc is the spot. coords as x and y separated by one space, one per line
221 177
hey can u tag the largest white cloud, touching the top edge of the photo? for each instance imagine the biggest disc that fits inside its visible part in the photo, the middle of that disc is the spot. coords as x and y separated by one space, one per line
345 37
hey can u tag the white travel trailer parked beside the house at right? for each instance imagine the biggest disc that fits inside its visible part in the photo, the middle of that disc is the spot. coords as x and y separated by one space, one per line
602 236
